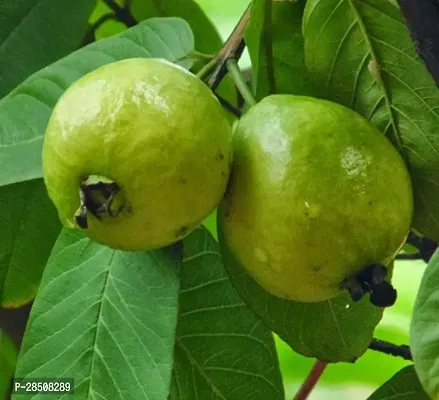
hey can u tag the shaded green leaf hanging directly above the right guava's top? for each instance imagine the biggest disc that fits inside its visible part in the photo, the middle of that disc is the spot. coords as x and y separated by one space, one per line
275 44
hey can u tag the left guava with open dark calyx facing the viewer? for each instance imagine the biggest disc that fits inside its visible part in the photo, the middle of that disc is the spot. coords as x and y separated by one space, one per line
137 153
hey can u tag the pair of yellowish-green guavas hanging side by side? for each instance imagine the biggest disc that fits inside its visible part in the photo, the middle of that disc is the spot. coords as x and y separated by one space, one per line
139 152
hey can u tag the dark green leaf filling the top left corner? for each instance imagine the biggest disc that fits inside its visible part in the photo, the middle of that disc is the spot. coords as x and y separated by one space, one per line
35 33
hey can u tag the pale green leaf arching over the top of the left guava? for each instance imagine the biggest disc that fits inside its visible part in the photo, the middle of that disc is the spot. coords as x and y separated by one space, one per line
24 113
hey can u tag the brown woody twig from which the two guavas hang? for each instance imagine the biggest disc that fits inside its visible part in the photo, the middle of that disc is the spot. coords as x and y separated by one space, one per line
232 49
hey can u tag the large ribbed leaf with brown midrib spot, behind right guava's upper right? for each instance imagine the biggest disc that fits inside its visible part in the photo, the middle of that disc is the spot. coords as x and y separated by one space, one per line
360 54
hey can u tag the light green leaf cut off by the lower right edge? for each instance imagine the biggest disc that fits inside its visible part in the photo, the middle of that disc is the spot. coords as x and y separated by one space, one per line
424 329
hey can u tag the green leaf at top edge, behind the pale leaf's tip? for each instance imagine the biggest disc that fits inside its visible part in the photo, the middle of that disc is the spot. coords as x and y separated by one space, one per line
207 38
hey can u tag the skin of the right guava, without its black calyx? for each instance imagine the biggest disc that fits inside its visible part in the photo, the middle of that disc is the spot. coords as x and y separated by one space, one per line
316 194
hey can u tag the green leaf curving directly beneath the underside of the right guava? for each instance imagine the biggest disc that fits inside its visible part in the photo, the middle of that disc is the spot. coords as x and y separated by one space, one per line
333 331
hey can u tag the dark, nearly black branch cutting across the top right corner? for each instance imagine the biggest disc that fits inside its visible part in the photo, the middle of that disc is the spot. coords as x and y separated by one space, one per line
422 21
